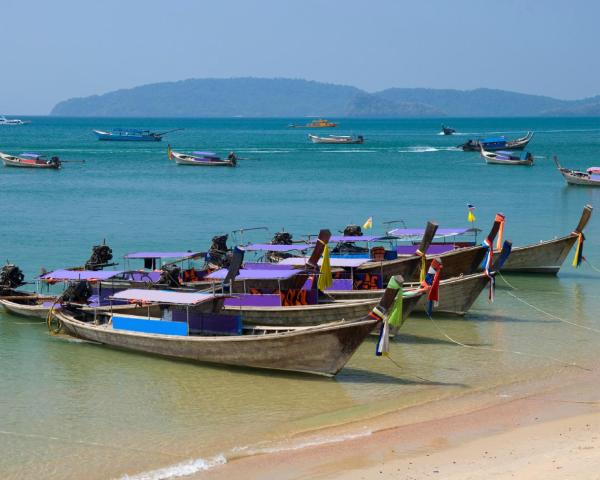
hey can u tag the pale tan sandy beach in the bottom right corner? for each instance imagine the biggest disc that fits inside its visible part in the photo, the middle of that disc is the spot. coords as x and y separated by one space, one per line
544 428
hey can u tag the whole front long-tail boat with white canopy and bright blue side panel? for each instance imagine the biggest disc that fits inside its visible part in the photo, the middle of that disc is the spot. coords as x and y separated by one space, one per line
182 332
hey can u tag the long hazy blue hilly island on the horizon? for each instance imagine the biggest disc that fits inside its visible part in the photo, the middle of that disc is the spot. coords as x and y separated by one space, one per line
281 97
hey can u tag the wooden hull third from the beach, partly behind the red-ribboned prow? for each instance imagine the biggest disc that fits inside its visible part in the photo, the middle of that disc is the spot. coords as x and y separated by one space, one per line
457 294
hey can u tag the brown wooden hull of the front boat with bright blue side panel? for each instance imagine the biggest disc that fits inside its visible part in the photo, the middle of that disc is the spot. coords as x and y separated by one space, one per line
320 350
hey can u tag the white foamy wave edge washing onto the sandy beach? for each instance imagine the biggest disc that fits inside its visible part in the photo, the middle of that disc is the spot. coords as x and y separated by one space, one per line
190 467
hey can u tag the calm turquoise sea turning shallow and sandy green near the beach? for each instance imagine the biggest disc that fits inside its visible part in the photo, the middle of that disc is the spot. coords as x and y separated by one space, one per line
71 410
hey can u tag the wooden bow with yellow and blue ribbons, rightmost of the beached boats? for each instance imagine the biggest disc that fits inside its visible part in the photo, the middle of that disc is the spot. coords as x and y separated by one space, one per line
547 256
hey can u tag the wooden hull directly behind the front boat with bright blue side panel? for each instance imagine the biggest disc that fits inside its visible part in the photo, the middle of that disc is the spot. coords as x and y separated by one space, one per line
347 310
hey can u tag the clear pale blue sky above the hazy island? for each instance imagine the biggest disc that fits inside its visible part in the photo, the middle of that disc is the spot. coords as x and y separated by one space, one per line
59 49
